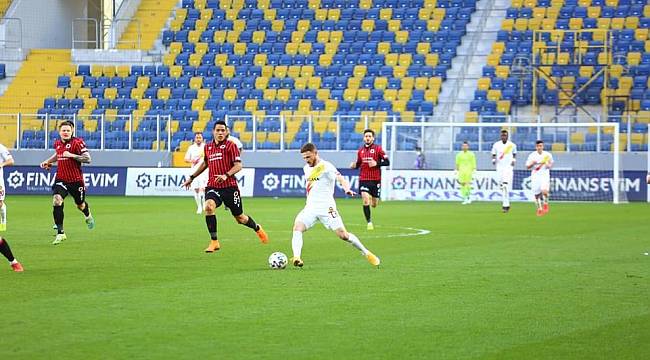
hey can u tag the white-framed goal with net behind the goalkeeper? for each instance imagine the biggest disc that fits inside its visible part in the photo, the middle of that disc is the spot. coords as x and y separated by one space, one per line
587 165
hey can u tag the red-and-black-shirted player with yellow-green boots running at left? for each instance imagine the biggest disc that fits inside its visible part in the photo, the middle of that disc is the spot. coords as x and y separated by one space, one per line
70 153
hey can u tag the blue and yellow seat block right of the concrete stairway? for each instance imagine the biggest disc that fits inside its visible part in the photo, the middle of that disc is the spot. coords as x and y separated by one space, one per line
558 42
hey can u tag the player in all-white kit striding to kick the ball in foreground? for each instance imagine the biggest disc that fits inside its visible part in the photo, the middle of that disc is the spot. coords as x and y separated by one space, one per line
321 177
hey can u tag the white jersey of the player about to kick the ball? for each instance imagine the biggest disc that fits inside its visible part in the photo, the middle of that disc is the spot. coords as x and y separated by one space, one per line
320 183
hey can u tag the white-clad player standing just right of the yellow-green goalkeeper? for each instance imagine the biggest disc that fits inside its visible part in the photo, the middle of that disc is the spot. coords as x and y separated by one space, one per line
504 153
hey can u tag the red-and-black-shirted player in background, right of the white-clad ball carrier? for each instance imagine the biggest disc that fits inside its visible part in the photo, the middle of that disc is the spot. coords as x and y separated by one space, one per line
370 158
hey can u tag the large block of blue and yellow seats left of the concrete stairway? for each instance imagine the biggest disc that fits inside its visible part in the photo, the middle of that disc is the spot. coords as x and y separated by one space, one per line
380 59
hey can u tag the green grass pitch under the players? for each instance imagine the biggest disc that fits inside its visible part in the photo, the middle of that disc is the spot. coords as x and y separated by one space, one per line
481 284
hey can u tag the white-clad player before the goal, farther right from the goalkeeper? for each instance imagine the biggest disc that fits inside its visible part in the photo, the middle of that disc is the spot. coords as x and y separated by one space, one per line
539 163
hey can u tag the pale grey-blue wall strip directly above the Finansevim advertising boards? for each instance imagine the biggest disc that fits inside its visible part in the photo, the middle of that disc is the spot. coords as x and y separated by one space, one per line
342 159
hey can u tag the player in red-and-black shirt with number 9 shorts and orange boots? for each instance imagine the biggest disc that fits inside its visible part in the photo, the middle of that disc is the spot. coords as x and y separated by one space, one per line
223 161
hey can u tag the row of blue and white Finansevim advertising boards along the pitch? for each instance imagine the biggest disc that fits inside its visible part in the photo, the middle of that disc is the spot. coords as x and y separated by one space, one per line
427 185
